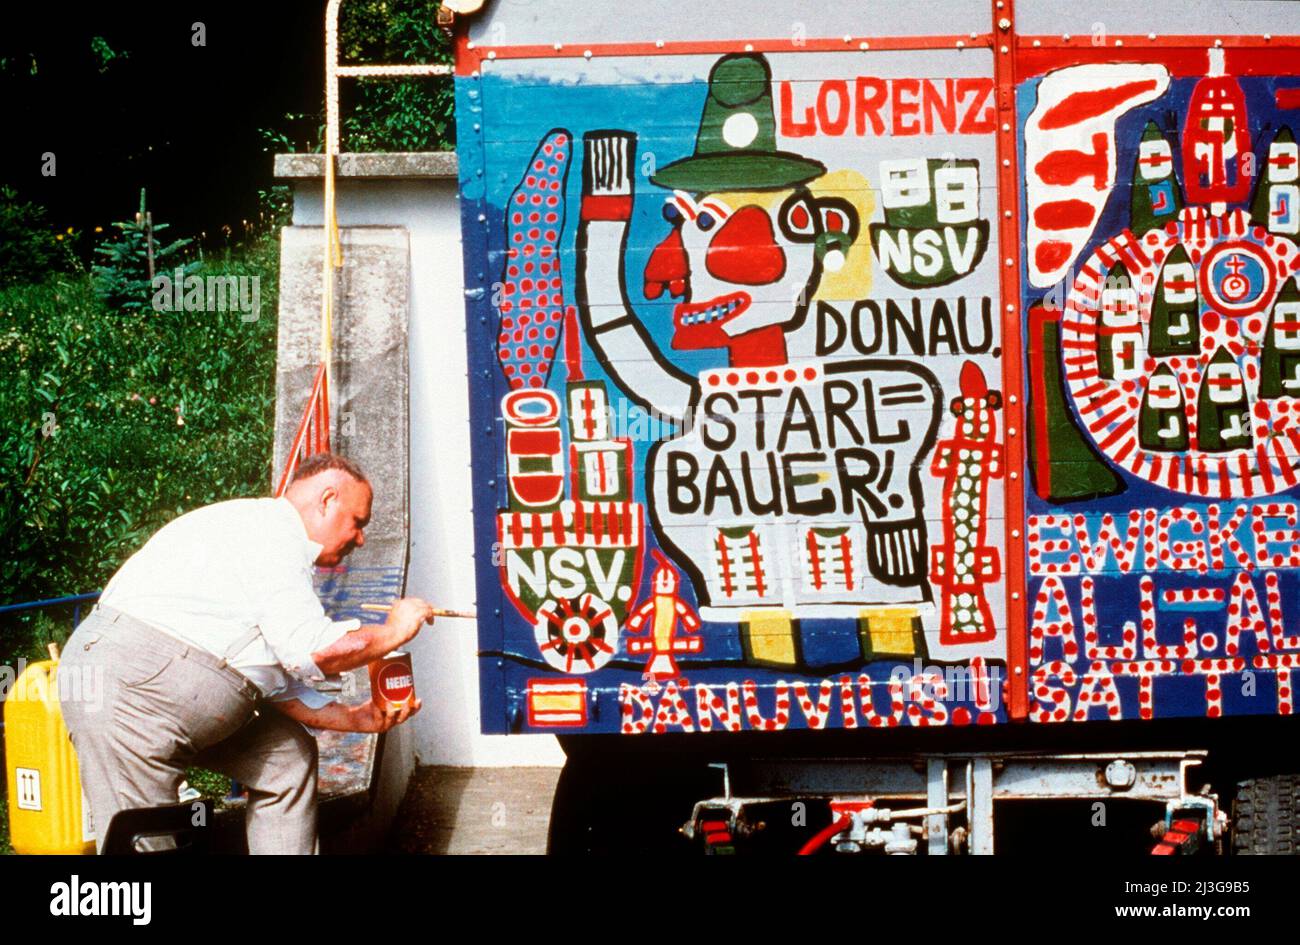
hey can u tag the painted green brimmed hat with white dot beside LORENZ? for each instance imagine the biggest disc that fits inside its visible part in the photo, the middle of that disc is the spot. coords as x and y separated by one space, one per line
736 146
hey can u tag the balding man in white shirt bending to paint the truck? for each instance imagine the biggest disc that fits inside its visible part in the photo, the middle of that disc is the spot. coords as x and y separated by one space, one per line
207 640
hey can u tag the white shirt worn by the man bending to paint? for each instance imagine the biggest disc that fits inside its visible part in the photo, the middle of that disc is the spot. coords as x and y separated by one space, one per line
213 575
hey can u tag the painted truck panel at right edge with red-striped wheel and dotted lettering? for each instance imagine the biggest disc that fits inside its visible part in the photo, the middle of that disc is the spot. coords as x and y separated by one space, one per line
1162 532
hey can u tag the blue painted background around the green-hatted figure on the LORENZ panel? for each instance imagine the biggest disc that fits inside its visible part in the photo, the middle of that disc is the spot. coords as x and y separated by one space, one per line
501 123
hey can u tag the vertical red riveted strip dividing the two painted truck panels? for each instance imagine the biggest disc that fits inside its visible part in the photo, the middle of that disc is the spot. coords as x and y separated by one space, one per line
1013 374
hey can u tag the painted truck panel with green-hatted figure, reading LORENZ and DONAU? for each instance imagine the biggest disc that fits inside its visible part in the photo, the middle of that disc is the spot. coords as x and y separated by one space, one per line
768 362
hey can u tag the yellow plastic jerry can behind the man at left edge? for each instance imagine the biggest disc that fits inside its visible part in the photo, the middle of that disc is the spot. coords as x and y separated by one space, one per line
47 810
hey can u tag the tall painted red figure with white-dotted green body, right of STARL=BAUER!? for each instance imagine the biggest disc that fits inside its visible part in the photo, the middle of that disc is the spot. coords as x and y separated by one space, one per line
964 563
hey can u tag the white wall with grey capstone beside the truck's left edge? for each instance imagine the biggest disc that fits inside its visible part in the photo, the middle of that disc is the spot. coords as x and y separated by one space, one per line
443 561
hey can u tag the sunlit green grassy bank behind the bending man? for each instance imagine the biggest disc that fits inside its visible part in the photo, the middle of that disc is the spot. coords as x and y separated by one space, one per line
114 423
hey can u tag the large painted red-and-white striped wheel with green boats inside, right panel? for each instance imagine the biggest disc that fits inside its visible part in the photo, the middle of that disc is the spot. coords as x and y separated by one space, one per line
1238 281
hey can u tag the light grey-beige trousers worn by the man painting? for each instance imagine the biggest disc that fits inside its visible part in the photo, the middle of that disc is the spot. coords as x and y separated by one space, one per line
163 705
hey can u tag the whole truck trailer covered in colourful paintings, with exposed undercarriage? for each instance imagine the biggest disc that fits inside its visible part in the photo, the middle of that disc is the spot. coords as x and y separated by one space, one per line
890 408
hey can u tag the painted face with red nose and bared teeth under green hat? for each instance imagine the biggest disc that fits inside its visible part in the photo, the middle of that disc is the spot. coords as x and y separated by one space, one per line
744 262
